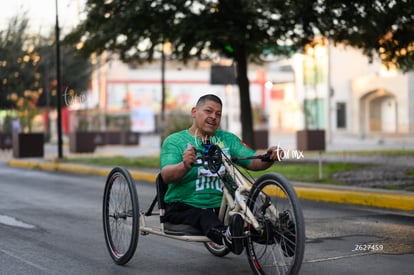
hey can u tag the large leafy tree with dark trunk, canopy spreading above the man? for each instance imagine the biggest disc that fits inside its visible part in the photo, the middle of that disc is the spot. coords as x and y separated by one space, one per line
240 29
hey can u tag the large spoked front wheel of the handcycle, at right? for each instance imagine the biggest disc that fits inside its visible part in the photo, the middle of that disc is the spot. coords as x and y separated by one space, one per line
279 247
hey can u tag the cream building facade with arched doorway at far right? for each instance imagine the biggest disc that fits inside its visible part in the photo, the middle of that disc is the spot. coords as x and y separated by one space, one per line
368 99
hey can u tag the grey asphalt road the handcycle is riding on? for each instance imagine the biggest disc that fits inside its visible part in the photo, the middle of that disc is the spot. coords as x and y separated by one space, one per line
50 223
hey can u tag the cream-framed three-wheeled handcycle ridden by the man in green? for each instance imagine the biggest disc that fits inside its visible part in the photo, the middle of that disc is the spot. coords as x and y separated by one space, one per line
274 226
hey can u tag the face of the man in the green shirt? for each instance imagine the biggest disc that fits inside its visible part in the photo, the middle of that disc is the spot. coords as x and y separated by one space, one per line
207 117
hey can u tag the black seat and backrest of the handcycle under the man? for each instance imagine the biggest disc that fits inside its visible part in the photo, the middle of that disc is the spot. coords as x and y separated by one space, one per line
171 228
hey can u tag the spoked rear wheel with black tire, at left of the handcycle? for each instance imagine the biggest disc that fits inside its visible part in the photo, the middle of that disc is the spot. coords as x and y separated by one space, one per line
120 215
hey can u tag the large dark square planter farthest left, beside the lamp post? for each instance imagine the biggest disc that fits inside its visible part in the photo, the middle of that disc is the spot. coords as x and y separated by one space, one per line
28 145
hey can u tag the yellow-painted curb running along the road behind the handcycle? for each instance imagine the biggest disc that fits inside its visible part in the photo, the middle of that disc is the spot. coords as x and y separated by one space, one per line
379 199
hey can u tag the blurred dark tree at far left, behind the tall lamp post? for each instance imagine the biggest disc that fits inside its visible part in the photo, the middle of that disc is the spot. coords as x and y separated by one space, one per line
28 63
